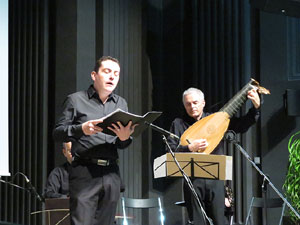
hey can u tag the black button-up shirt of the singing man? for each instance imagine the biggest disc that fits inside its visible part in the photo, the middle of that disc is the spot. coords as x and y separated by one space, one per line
83 106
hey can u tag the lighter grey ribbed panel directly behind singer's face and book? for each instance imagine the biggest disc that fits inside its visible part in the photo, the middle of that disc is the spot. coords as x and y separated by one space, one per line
122 38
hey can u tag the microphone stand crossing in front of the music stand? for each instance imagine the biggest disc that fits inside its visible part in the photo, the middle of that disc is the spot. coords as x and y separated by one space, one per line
184 175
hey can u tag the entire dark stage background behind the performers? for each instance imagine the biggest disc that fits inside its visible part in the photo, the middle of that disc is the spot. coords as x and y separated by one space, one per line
164 47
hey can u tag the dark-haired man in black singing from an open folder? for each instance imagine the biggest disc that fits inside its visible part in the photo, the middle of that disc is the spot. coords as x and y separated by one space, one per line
94 176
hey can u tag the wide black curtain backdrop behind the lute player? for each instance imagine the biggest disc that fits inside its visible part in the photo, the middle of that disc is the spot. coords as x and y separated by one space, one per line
202 44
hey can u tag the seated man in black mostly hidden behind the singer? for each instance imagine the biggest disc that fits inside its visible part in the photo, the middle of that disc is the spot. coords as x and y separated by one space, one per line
57 185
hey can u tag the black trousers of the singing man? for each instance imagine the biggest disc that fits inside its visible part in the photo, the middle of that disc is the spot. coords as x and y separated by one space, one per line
94 194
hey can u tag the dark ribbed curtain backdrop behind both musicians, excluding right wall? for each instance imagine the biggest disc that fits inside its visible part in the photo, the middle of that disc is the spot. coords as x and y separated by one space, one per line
206 44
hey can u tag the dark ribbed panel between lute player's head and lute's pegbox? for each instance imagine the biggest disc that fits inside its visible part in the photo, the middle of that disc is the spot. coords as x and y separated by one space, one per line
220 65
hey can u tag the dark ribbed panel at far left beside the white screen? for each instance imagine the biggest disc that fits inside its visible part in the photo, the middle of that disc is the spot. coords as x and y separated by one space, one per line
27 130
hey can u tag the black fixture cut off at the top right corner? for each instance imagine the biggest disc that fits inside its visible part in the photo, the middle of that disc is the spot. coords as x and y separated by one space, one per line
283 7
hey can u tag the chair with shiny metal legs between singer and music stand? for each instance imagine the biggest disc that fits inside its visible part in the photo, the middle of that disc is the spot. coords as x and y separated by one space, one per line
142 204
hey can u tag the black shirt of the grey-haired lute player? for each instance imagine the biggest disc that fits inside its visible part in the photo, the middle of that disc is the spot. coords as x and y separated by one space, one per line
238 125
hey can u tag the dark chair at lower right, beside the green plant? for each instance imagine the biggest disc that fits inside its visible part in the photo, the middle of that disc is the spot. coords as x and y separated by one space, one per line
270 203
